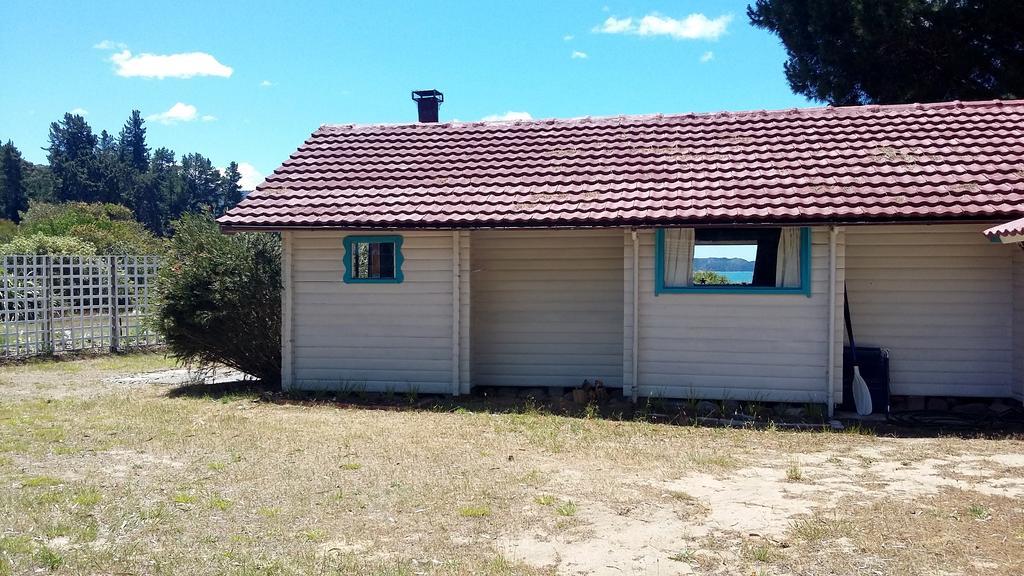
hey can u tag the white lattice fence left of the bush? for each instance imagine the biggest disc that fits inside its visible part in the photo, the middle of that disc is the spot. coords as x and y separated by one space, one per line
76 304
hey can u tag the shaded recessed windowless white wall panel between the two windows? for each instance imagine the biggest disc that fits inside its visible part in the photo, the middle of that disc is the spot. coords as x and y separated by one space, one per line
547 308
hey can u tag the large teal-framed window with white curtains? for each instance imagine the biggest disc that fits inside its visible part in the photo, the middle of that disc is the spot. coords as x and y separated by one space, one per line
775 261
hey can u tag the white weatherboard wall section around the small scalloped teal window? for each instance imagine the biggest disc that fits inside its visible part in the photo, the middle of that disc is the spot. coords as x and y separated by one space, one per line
375 337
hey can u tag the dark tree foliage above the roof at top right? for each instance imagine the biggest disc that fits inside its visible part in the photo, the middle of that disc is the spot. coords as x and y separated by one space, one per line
895 52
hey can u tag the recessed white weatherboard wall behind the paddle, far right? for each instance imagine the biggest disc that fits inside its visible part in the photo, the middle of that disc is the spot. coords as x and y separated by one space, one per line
942 300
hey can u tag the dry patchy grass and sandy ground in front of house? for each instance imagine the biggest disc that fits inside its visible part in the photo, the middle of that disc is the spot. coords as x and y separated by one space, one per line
105 471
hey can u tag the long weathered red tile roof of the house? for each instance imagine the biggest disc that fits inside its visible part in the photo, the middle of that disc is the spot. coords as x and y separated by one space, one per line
877 163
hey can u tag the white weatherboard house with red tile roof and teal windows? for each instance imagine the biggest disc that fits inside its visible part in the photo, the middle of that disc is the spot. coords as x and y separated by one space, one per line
442 257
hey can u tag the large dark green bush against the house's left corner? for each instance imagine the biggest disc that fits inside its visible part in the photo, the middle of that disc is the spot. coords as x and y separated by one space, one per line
220 298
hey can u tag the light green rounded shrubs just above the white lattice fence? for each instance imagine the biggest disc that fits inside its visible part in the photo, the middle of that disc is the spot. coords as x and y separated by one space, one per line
110 228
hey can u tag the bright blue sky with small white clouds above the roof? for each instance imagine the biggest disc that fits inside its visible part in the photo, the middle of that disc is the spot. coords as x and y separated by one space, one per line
249 81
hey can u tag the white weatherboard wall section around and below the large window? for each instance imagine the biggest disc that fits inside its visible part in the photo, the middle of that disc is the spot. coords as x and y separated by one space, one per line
771 348
